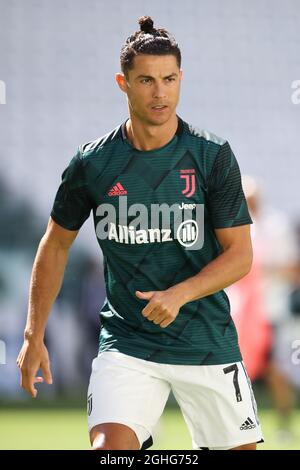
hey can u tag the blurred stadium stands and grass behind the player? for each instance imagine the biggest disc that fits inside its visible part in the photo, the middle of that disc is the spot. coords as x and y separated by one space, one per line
57 61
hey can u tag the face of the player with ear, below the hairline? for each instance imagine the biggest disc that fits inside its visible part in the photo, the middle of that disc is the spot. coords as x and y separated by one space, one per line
152 87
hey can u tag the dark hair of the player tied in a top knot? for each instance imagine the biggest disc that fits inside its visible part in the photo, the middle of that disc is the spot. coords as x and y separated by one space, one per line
148 40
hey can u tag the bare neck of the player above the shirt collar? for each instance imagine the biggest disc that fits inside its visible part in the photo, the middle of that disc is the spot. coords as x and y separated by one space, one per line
147 137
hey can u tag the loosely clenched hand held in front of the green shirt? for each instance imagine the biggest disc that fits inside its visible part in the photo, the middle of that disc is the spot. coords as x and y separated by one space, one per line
163 306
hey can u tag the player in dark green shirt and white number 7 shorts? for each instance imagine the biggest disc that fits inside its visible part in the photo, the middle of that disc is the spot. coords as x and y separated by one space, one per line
172 222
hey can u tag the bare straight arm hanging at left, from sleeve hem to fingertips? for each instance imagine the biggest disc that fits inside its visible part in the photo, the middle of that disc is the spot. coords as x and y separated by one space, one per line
46 279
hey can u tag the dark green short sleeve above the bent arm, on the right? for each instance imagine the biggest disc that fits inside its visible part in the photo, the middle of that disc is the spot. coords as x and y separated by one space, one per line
226 200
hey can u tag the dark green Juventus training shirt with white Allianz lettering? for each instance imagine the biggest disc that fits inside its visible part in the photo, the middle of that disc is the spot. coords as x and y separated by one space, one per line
197 174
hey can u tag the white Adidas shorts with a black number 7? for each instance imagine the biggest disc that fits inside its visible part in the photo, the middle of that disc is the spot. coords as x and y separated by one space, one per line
216 401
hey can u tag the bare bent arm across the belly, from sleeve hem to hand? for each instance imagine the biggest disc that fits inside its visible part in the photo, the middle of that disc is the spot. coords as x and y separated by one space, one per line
231 265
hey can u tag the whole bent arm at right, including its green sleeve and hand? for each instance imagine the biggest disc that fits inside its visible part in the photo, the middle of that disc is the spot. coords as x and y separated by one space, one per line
230 218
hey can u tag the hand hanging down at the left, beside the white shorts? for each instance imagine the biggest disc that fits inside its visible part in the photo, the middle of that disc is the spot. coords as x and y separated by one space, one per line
32 357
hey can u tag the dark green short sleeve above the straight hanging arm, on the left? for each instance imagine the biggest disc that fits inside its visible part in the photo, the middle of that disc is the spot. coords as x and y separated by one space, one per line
72 205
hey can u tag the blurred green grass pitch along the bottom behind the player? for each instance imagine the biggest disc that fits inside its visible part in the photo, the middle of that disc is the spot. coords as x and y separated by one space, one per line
67 429
